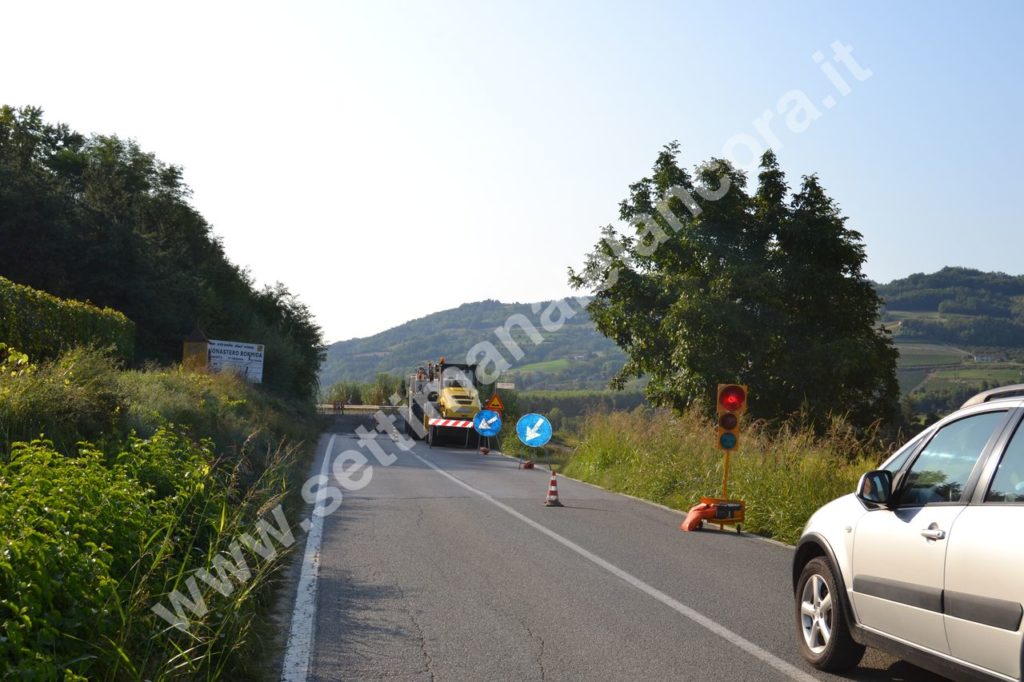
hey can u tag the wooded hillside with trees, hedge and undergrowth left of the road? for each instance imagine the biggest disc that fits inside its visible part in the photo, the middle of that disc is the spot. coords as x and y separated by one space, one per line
124 480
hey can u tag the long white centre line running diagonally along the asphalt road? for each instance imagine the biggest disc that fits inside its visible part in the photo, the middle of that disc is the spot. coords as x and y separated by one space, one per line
784 667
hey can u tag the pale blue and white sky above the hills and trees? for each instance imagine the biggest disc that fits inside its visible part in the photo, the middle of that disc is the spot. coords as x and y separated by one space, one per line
361 152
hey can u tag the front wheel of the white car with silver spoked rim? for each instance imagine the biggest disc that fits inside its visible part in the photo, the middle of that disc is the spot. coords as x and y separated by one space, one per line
822 624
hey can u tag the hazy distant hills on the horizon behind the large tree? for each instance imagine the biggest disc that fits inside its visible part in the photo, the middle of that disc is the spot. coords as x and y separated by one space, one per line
958 322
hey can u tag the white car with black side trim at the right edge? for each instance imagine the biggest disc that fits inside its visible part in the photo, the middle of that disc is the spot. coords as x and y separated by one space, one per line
926 561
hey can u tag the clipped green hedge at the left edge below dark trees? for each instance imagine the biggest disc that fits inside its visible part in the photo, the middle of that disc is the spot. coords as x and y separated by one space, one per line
42 326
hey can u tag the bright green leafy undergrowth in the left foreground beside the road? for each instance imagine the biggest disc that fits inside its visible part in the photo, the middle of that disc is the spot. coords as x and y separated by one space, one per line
92 544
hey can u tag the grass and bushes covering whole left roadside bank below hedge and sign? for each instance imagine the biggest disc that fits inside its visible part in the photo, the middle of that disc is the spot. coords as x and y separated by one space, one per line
142 479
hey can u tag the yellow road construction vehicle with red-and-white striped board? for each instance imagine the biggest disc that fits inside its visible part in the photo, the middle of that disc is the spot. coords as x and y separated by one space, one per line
443 400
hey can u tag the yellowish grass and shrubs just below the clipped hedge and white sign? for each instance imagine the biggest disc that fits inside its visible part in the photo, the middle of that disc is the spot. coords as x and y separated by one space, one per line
84 396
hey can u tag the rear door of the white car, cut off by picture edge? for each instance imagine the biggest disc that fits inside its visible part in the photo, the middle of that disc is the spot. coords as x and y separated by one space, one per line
985 589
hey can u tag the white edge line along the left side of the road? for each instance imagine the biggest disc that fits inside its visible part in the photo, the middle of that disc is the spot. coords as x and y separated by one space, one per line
301 635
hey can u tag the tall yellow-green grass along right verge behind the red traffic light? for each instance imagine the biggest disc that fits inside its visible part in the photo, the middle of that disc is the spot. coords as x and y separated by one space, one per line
671 459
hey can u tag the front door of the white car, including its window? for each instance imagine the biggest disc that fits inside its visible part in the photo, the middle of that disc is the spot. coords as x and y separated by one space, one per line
900 553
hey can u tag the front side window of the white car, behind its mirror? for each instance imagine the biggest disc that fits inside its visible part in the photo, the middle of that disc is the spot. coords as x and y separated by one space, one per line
941 473
